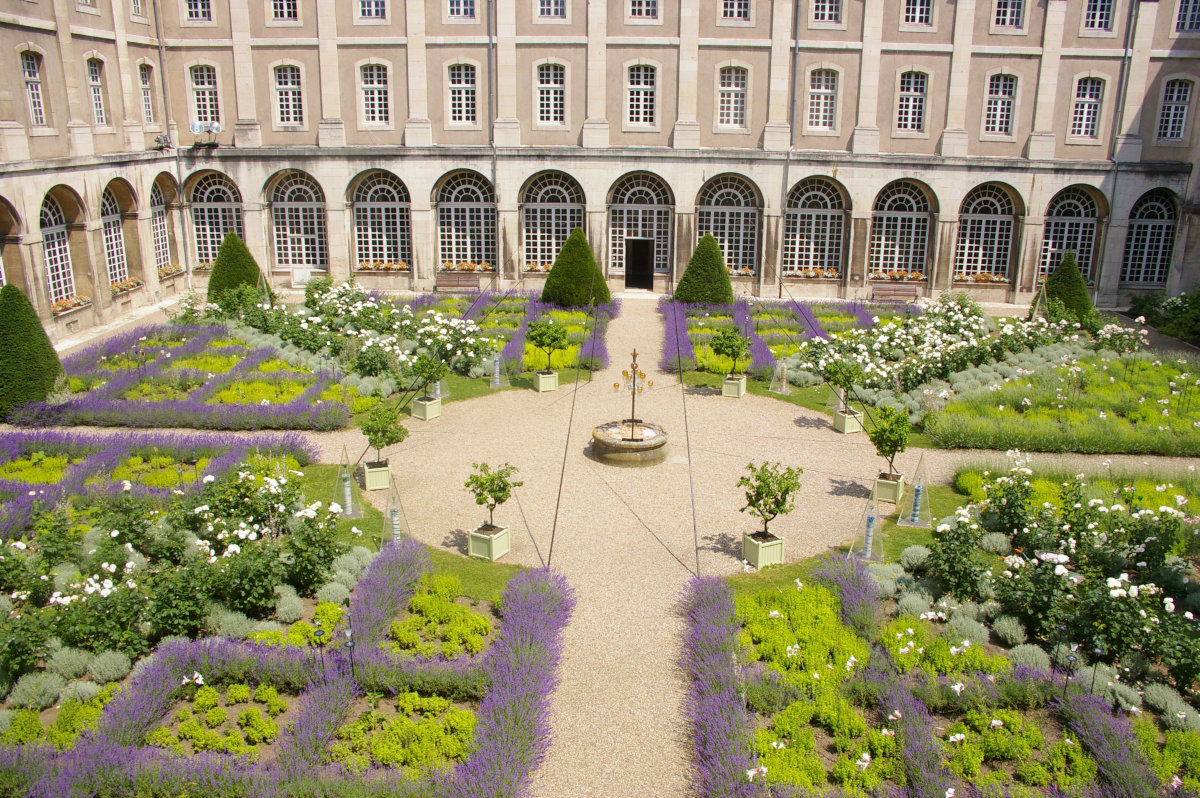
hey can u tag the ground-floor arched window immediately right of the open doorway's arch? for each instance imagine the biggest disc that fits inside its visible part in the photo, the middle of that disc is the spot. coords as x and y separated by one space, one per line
729 211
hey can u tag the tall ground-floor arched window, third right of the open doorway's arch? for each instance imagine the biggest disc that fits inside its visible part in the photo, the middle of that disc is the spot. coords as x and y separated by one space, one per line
901 230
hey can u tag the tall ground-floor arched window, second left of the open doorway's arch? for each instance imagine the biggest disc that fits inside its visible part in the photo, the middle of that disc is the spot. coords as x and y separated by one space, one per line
467 221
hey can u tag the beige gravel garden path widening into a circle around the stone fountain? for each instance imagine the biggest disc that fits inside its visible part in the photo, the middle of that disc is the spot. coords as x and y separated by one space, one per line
625 537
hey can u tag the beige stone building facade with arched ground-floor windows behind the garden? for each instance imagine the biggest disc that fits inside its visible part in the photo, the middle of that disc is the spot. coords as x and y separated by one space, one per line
831 146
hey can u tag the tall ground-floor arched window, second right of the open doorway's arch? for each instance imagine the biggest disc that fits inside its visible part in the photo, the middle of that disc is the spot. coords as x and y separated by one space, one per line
814 229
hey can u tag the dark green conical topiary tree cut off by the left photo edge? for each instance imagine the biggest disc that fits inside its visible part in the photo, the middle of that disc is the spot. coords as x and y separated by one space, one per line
29 367
